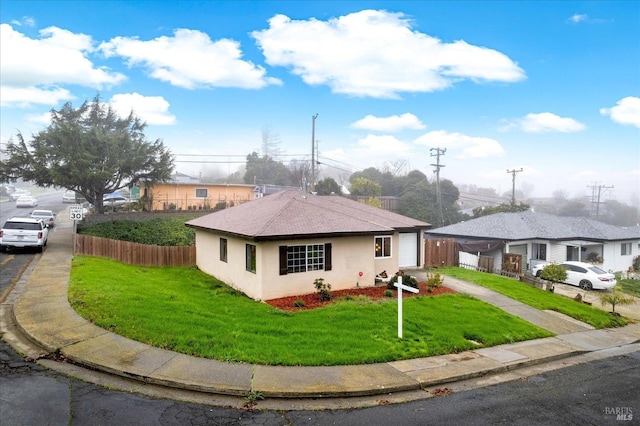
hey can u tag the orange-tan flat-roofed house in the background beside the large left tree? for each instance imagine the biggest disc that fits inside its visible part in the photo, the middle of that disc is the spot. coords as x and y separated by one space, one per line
183 192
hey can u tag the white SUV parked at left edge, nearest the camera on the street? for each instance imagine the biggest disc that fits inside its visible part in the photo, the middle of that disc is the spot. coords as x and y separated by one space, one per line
22 232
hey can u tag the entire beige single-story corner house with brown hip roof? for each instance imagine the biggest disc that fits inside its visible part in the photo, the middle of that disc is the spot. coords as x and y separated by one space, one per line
278 245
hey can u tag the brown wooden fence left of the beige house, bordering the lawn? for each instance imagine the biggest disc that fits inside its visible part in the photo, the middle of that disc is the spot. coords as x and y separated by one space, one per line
135 253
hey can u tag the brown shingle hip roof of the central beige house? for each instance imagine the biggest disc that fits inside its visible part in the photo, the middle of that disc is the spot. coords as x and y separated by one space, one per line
288 214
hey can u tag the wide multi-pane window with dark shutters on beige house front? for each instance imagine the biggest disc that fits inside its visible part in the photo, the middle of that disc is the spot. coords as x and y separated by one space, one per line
305 258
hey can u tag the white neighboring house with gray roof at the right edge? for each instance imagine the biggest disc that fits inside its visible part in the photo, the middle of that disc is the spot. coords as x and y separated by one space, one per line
542 237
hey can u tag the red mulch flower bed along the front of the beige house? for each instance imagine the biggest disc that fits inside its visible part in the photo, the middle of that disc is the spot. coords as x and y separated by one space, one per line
312 300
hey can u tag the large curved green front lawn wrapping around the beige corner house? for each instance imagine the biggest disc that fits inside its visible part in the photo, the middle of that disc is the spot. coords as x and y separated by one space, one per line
187 311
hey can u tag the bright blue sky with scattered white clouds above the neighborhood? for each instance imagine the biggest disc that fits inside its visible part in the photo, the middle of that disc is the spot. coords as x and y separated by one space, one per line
549 87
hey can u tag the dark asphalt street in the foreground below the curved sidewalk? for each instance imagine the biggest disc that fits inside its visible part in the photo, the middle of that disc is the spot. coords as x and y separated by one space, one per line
591 393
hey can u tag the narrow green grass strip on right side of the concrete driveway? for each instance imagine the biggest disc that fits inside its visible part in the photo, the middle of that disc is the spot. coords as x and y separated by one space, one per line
537 298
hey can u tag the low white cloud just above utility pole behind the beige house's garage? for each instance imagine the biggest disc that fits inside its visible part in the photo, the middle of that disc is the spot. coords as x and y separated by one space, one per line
463 146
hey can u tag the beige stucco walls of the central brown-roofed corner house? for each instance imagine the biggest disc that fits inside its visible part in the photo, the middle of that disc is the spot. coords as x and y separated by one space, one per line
350 256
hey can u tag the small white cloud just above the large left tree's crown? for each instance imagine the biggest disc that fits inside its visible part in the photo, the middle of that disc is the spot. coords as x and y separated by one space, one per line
150 109
